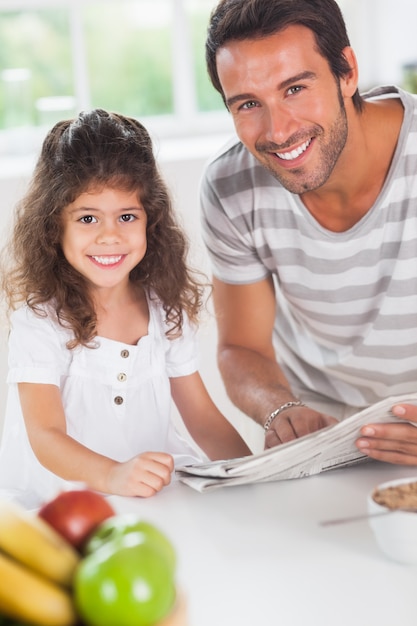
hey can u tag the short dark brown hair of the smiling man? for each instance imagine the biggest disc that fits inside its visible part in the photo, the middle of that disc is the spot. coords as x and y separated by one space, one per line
237 20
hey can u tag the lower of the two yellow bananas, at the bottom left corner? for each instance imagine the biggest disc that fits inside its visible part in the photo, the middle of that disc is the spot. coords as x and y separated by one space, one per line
27 596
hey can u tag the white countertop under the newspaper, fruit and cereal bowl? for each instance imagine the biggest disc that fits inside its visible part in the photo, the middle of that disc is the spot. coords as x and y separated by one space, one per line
256 555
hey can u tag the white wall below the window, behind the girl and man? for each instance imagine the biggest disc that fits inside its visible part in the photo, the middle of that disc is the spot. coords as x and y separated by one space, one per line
182 175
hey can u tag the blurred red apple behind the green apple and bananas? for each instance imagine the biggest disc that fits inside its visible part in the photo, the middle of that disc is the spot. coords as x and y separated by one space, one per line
75 514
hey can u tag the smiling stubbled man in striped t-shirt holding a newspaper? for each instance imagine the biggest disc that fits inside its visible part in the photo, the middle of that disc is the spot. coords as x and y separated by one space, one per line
310 219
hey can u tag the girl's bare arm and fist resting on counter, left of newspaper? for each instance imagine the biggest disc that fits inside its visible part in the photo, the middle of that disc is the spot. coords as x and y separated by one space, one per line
45 422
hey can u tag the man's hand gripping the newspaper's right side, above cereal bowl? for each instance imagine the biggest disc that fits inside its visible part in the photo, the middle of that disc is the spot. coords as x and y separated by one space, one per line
392 443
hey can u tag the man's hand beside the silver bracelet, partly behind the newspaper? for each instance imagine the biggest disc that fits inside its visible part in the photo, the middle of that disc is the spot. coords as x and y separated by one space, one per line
296 422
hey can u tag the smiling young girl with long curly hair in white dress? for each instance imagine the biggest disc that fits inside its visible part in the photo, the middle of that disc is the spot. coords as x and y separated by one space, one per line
103 323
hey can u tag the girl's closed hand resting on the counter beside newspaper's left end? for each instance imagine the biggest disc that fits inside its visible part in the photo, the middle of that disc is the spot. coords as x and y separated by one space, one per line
144 475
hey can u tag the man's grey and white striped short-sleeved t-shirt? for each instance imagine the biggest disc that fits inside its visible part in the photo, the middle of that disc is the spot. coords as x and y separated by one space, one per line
346 324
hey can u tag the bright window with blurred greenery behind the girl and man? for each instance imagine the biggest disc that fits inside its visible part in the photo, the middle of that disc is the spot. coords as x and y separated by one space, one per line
143 58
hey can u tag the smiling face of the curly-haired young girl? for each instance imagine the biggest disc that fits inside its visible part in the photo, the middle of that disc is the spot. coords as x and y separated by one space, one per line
104 236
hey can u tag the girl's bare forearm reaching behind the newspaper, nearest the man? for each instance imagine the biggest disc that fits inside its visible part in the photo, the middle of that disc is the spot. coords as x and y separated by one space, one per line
207 426
